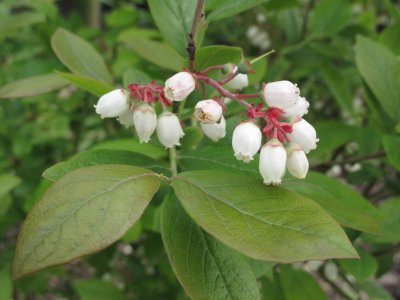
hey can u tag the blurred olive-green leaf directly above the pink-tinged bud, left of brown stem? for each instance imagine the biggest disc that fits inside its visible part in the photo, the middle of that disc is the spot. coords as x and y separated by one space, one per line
157 53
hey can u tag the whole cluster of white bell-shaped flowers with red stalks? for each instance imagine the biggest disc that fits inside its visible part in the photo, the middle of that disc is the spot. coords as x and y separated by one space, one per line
278 117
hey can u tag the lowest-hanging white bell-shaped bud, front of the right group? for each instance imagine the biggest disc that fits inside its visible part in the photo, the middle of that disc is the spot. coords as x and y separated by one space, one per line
272 162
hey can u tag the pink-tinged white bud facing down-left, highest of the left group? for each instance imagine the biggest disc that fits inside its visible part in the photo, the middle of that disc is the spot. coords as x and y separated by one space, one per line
179 86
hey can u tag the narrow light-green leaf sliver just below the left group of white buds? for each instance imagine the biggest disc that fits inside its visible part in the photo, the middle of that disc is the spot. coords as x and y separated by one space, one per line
130 144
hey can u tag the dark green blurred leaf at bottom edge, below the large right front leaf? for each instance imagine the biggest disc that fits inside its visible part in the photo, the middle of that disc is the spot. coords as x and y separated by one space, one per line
299 285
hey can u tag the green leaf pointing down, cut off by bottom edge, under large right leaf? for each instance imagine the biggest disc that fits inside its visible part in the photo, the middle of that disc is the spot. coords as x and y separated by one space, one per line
206 268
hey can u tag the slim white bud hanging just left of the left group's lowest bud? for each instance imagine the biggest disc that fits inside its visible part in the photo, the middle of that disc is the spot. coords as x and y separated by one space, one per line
145 120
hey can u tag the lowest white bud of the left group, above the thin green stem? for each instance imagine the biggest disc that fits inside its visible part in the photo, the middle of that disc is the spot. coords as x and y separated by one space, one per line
169 130
